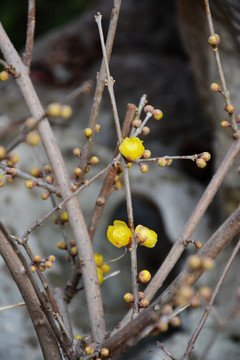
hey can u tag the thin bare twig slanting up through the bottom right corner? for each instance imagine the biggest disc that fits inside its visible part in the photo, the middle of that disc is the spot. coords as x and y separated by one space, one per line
210 304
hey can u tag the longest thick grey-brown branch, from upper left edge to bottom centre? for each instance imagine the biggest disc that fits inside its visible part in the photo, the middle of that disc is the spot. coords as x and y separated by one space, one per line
77 222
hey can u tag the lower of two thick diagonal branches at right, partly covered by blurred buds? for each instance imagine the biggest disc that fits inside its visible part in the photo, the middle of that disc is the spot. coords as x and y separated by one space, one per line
117 342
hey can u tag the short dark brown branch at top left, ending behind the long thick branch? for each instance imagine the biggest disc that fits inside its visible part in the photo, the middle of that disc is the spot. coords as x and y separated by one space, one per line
27 55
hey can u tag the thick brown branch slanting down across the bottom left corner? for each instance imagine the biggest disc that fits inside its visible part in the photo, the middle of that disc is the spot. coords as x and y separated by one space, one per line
43 330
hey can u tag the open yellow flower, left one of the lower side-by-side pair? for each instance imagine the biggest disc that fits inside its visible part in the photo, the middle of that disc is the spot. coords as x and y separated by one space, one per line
119 234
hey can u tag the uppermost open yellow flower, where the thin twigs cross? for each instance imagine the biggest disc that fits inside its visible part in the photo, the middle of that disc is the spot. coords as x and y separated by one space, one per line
132 148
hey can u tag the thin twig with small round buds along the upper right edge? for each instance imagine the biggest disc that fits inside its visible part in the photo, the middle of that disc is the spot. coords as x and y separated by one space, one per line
225 92
